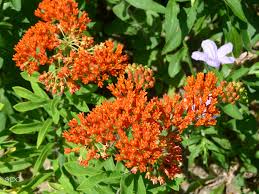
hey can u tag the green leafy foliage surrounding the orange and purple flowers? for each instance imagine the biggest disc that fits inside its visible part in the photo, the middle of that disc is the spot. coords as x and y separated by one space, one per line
160 34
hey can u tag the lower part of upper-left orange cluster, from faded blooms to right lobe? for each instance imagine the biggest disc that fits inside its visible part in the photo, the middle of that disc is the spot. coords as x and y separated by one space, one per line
84 65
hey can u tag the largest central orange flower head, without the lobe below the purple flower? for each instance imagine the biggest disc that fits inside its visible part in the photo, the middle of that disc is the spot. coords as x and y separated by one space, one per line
133 126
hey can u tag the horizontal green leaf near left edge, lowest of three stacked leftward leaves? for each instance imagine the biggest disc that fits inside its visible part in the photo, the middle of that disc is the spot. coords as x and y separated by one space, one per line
26 128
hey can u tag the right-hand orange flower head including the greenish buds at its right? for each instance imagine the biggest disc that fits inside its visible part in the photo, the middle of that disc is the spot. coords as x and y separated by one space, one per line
198 103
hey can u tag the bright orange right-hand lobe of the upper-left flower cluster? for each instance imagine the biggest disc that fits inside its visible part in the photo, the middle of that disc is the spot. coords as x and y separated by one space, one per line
98 65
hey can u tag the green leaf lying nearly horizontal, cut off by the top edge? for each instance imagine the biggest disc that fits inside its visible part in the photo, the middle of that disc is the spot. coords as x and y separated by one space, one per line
147 5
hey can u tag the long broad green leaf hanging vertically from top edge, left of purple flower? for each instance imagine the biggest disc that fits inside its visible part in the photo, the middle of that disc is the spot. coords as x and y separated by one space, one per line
173 33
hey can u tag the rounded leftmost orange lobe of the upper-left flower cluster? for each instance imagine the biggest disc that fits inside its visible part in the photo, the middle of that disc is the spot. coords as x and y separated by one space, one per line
31 49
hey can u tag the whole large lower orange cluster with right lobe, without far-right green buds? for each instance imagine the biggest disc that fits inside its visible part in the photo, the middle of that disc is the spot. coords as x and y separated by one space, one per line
146 133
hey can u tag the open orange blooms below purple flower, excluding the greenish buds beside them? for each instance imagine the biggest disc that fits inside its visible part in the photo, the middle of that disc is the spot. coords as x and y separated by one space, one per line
200 99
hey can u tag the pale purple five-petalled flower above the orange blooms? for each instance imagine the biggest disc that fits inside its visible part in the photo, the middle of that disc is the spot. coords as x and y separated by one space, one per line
212 55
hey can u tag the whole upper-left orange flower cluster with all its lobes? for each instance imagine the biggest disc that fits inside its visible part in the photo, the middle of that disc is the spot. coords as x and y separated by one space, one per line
74 58
